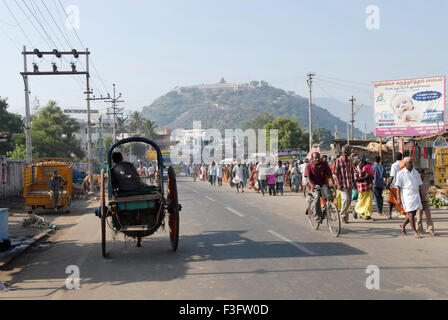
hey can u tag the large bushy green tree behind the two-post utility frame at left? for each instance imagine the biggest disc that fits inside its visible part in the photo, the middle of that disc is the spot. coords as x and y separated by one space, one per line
53 133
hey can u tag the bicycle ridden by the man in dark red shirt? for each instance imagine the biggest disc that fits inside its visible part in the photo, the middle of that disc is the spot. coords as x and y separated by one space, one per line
329 212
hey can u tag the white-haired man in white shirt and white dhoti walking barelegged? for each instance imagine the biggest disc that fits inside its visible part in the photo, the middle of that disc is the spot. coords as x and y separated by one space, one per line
407 183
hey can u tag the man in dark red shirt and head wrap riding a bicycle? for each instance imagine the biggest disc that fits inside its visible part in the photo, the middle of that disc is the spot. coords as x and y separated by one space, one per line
318 174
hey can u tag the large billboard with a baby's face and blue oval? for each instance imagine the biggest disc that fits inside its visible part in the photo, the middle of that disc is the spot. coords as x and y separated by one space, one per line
409 107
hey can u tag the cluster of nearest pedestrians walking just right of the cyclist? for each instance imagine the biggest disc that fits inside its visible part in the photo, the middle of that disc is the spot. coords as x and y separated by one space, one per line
408 190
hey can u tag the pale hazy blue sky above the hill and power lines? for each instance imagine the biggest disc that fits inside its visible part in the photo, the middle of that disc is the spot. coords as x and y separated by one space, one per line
148 47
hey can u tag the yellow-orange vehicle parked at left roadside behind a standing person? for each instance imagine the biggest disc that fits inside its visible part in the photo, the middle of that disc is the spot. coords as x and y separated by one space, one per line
35 186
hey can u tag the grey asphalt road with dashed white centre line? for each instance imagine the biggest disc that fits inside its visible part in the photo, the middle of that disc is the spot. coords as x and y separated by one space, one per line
236 246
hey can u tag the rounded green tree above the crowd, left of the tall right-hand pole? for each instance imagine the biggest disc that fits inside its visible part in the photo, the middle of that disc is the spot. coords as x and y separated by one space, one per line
290 134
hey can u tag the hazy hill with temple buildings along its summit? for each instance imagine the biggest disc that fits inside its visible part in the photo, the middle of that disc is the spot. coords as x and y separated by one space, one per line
230 108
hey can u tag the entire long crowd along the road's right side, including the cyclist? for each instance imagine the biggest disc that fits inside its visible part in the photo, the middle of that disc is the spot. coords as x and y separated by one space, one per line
351 178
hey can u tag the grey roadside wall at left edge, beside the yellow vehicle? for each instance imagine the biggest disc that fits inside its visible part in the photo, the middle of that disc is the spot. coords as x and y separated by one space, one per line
14 180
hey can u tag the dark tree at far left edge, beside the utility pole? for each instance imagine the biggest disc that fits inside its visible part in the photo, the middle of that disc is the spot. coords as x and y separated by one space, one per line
10 123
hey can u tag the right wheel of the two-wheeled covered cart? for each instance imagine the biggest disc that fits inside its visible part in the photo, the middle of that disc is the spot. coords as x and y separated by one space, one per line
173 219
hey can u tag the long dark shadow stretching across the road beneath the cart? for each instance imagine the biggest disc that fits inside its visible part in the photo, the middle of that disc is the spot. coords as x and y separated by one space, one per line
154 261
